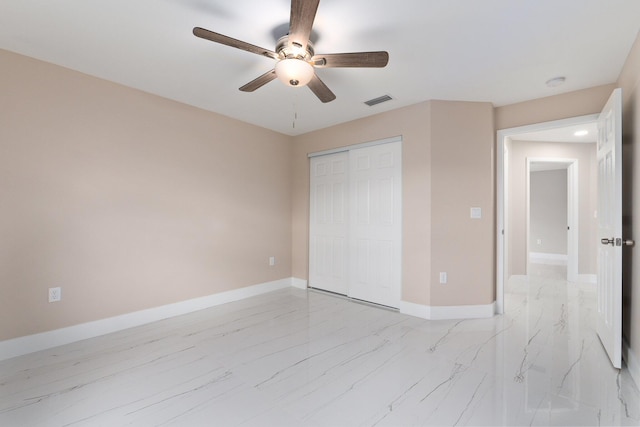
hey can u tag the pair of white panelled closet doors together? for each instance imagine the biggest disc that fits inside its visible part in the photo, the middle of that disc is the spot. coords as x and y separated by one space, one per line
355 223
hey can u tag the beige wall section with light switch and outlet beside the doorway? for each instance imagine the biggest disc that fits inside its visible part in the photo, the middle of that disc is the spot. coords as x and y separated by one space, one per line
462 163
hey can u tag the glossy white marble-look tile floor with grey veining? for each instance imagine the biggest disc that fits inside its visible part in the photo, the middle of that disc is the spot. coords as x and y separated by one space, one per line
303 358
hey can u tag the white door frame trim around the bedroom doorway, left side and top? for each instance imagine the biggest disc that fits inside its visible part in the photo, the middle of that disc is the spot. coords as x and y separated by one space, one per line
501 138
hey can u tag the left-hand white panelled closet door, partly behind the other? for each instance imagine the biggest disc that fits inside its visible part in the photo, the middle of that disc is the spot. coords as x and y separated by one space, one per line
328 226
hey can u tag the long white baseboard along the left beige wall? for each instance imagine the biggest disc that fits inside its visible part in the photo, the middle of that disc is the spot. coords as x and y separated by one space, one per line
42 341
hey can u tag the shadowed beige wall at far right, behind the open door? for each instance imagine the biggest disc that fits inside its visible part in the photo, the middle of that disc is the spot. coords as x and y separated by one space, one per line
629 81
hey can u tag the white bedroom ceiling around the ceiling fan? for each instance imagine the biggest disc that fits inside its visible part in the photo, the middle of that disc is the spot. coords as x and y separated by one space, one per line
499 51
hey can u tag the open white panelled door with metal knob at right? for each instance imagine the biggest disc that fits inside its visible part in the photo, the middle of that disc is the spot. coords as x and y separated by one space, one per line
609 296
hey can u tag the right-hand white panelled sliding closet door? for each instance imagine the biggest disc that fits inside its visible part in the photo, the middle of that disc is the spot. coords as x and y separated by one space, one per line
375 225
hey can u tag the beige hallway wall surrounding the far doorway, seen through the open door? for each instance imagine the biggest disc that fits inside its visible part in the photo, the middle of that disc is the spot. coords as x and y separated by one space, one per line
587 200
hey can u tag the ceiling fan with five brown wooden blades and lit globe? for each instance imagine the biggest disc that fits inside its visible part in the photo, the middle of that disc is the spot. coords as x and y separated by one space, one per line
296 59
